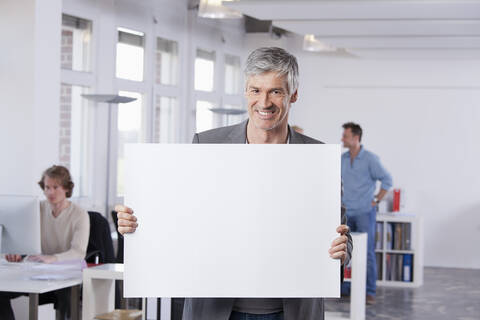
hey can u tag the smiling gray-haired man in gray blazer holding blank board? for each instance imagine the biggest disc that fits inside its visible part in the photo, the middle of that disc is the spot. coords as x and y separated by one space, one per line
272 82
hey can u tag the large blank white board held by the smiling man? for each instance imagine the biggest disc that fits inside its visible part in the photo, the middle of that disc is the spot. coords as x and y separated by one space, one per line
232 220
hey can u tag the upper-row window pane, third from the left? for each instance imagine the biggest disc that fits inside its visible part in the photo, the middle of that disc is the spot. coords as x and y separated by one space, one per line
167 62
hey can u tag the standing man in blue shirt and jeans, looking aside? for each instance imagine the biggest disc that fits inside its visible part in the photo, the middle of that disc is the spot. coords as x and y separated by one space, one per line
361 169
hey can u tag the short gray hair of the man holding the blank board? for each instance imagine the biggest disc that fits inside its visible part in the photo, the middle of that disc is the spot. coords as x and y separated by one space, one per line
274 59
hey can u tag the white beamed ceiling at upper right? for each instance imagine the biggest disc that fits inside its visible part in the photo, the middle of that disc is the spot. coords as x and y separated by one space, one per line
390 28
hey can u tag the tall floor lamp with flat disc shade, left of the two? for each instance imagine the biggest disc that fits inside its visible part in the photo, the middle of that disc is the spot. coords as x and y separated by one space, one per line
110 99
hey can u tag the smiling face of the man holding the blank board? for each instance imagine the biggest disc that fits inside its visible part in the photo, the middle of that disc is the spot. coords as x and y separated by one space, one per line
268 100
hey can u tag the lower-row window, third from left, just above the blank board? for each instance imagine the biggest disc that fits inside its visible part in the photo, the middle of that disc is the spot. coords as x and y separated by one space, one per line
165 108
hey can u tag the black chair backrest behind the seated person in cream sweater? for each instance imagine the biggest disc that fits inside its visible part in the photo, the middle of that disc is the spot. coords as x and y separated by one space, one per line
100 239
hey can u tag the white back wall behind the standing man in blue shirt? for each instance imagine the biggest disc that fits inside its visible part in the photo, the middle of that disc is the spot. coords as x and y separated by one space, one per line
421 117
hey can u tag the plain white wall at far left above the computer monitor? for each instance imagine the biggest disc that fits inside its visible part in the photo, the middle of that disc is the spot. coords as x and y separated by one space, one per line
29 105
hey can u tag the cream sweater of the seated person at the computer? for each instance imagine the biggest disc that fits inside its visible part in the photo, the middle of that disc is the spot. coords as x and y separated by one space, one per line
65 236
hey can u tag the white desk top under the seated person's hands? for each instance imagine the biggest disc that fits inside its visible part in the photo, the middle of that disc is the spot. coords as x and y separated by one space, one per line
16 277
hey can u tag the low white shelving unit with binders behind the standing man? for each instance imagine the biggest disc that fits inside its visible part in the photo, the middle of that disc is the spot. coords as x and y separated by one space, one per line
416 248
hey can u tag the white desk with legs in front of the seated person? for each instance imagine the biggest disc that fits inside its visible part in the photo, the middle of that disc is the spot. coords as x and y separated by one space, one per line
15 277
